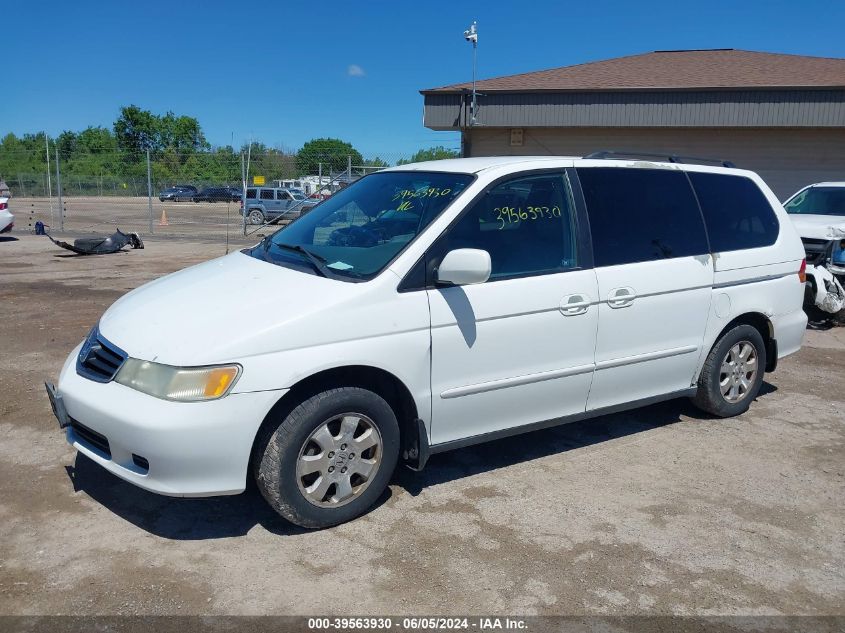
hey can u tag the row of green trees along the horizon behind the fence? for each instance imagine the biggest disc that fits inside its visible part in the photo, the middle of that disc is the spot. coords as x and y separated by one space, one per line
101 161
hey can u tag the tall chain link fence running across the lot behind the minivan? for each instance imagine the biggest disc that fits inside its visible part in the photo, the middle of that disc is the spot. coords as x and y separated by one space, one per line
194 195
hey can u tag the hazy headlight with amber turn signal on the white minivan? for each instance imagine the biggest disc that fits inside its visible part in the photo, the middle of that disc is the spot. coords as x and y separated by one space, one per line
183 384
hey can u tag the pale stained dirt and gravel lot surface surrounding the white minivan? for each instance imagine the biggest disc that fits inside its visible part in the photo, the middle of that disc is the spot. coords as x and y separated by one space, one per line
656 511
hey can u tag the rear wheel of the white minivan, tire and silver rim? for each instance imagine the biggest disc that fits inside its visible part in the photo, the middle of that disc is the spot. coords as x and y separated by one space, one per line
727 386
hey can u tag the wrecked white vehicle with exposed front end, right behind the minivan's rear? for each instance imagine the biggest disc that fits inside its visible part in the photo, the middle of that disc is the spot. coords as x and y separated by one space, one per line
818 214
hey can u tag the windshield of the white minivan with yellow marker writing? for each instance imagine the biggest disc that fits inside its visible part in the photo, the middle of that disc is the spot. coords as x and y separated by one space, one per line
358 231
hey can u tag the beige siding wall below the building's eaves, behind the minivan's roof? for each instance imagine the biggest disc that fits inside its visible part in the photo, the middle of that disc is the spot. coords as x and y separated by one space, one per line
787 159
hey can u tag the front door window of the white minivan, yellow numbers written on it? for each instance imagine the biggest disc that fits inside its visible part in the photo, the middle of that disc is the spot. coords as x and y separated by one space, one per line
527 225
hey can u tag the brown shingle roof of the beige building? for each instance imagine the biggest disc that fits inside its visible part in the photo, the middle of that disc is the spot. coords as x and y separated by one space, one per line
676 70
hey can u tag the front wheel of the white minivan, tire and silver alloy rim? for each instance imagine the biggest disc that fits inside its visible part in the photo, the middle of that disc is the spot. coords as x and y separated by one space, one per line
305 469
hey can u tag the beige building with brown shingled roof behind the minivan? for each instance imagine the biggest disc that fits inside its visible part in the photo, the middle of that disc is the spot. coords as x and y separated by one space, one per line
780 115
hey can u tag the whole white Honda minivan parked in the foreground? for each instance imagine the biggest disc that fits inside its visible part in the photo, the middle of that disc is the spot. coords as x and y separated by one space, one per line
432 306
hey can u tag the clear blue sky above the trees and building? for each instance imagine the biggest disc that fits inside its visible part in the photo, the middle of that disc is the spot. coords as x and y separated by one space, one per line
285 72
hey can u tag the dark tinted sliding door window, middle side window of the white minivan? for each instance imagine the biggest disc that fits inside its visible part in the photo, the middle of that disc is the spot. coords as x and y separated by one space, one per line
640 215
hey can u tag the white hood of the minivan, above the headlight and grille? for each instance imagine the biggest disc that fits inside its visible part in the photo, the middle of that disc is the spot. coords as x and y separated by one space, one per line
223 309
